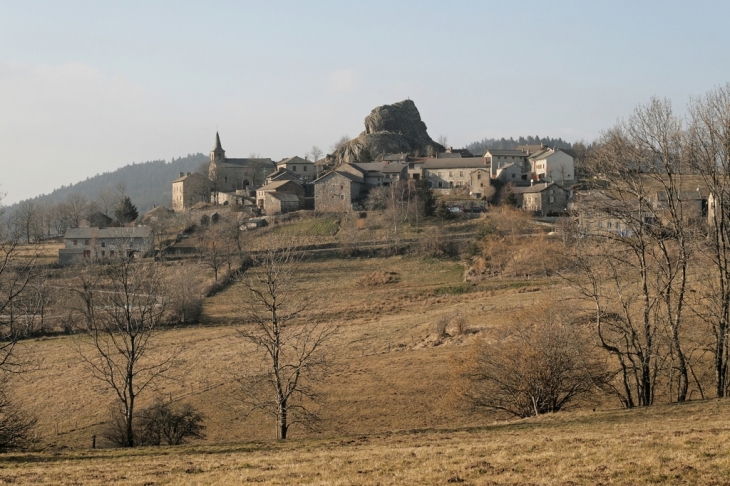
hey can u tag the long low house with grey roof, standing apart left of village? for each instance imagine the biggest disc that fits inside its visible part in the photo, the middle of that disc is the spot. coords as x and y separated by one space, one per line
100 244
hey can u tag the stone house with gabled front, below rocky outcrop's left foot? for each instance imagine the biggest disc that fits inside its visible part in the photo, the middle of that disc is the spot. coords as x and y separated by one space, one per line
336 192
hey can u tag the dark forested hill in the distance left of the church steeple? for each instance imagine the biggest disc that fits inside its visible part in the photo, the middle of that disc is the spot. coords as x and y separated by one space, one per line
149 184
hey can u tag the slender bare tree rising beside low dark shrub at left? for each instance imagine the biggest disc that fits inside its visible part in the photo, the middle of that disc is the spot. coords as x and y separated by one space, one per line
124 308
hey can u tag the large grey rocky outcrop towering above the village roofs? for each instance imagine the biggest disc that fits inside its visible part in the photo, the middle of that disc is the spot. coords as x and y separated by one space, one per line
389 129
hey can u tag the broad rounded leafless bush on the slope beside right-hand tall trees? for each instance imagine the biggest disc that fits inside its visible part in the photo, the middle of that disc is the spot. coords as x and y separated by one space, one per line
539 364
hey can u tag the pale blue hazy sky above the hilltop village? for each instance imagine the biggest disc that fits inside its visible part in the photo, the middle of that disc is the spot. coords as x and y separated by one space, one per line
90 86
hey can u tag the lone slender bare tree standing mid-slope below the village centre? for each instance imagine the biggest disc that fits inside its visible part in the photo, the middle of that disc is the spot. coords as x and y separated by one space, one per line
292 348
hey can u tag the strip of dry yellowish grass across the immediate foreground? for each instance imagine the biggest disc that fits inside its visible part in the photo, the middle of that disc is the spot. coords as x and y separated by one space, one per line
666 444
